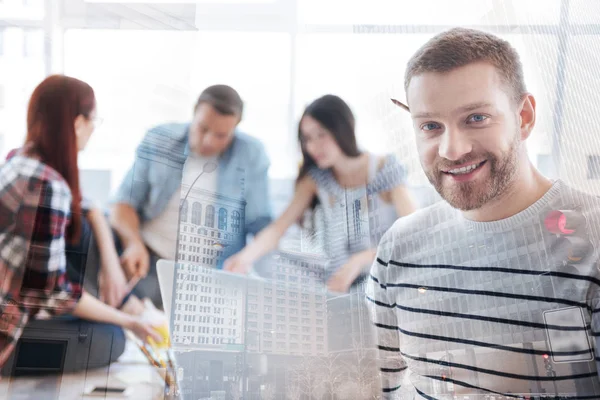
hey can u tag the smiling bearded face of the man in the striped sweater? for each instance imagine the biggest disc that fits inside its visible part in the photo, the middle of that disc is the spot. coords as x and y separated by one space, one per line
468 133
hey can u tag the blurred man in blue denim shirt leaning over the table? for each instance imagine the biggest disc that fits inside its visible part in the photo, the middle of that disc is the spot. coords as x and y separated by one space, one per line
145 210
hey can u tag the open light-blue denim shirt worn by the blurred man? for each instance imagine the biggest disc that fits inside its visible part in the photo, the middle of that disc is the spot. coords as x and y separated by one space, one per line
157 171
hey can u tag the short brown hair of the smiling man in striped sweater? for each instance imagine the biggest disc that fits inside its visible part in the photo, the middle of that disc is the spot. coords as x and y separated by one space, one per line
458 47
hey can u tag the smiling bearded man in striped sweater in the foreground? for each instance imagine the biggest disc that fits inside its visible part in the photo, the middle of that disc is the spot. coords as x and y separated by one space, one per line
493 291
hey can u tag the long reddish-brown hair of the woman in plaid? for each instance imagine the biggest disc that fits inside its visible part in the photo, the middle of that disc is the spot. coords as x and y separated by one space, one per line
53 108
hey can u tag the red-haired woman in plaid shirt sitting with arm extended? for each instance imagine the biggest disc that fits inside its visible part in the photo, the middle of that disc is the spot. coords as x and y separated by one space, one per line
40 212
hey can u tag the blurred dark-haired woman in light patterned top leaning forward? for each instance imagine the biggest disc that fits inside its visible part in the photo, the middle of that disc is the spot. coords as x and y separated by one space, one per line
339 177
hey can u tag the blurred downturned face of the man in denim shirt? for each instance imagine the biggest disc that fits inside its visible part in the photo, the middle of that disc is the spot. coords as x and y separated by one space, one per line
211 132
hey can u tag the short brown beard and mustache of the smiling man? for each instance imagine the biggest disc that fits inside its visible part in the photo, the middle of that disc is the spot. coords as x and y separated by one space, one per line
473 195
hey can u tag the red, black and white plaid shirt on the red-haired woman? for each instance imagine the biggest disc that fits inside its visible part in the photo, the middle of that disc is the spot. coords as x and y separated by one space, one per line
35 207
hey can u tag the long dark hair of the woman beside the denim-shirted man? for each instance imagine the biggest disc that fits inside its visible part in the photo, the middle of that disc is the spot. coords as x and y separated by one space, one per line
336 116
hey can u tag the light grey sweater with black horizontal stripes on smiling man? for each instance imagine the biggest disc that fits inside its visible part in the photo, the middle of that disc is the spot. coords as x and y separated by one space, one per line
479 309
